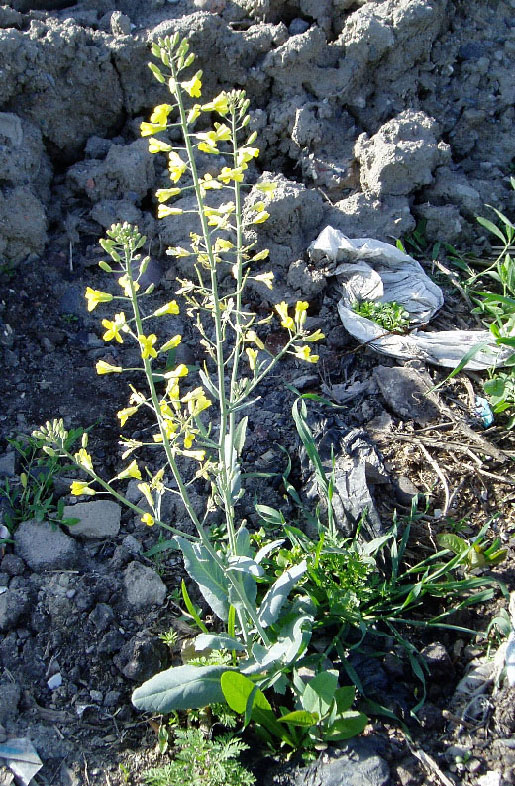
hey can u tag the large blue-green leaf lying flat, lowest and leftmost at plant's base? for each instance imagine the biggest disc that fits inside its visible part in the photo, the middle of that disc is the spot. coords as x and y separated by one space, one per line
180 688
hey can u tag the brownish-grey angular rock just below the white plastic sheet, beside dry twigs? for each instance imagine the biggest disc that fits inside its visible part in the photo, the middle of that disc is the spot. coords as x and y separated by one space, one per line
405 391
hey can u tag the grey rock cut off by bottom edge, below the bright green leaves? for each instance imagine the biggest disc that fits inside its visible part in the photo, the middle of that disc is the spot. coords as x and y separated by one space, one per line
356 764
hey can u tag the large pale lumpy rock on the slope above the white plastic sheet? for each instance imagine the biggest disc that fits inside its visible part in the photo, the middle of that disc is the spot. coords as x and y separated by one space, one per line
401 156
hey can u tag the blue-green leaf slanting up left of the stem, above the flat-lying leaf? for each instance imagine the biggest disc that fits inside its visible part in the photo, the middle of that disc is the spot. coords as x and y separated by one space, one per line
206 572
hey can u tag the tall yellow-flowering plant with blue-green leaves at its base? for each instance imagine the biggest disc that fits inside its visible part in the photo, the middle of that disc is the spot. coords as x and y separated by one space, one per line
237 360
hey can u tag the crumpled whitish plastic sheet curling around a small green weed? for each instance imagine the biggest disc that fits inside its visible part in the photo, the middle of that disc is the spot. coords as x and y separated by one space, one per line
368 269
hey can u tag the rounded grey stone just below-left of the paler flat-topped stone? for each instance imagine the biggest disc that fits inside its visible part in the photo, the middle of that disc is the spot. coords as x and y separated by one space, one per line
44 546
